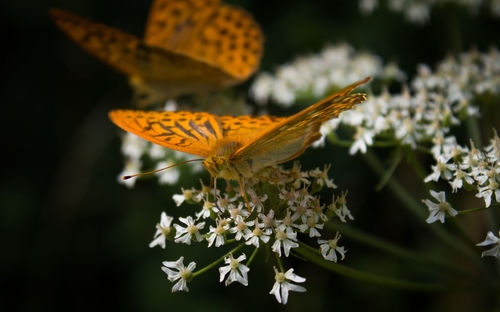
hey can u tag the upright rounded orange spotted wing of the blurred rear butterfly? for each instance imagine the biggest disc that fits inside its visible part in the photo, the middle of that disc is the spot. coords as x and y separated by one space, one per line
223 36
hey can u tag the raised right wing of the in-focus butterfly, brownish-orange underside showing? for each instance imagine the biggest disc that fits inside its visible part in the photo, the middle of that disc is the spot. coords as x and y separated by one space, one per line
289 138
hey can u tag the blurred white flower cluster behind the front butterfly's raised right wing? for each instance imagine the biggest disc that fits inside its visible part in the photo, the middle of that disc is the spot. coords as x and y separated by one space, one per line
315 75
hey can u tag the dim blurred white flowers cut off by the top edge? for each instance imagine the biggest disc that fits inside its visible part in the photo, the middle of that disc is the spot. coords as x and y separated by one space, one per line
418 11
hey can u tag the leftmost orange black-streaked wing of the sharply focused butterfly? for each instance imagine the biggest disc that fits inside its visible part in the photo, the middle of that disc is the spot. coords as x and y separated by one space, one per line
193 133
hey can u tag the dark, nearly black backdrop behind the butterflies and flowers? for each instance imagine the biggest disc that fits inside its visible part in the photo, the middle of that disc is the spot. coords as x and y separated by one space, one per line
74 239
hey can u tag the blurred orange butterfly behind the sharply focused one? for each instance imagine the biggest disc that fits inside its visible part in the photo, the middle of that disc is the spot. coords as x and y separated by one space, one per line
189 46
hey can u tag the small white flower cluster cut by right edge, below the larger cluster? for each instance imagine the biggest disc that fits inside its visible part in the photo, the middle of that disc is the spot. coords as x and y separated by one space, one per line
461 166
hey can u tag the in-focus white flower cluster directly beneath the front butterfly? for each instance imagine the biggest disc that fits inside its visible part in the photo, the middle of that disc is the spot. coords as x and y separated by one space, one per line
279 211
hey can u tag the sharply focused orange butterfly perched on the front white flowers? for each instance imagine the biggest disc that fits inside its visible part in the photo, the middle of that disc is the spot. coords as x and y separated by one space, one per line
238 147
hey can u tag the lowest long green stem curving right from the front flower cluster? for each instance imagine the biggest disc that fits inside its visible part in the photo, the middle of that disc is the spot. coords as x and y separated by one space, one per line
306 252
